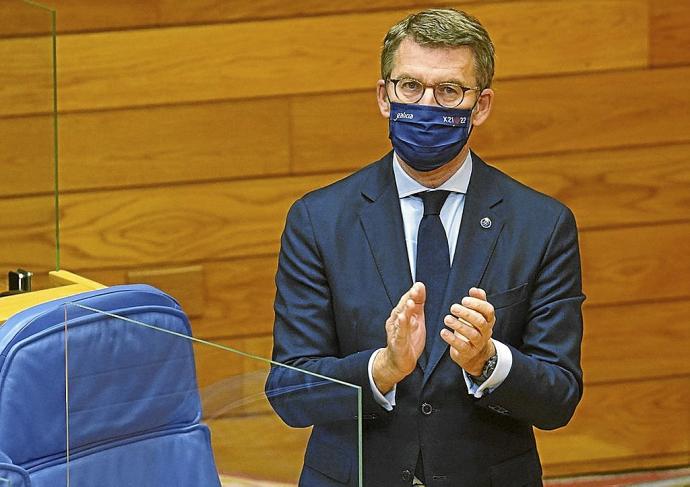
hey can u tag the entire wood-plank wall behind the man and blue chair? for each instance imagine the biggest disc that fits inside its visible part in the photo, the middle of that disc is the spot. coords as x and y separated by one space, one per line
187 129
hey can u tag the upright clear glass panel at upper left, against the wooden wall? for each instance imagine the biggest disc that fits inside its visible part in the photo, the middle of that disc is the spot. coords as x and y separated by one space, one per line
28 131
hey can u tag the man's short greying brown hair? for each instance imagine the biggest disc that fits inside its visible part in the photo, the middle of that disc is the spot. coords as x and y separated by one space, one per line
442 28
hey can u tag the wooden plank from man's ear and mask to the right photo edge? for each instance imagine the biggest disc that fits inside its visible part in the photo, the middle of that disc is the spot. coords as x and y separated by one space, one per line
587 112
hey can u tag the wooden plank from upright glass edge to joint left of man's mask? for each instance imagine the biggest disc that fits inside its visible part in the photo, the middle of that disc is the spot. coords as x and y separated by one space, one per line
182 143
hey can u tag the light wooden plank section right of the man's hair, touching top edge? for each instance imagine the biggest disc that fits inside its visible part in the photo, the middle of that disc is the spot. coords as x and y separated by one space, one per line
537 38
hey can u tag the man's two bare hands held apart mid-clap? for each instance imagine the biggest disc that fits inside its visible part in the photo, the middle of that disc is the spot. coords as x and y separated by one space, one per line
471 320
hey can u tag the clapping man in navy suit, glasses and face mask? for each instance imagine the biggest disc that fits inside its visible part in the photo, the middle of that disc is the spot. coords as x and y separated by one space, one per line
494 261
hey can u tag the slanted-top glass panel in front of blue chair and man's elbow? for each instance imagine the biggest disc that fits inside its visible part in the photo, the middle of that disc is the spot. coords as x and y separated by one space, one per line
149 405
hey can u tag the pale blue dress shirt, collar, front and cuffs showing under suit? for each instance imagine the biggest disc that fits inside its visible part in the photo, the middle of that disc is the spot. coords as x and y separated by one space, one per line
412 209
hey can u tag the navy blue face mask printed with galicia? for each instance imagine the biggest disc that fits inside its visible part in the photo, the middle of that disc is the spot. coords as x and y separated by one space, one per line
426 137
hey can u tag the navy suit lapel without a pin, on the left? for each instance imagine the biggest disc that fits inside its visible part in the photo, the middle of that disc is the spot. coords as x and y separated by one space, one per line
383 227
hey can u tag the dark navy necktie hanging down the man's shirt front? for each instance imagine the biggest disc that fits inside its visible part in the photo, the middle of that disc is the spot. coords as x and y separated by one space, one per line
433 262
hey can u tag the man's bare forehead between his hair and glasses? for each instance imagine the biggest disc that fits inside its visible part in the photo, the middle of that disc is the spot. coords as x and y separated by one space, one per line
434 64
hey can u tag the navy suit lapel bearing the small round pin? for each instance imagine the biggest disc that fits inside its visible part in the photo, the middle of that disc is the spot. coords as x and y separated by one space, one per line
474 247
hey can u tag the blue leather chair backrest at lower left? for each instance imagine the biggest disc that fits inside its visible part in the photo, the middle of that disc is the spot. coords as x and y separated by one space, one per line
134 407
